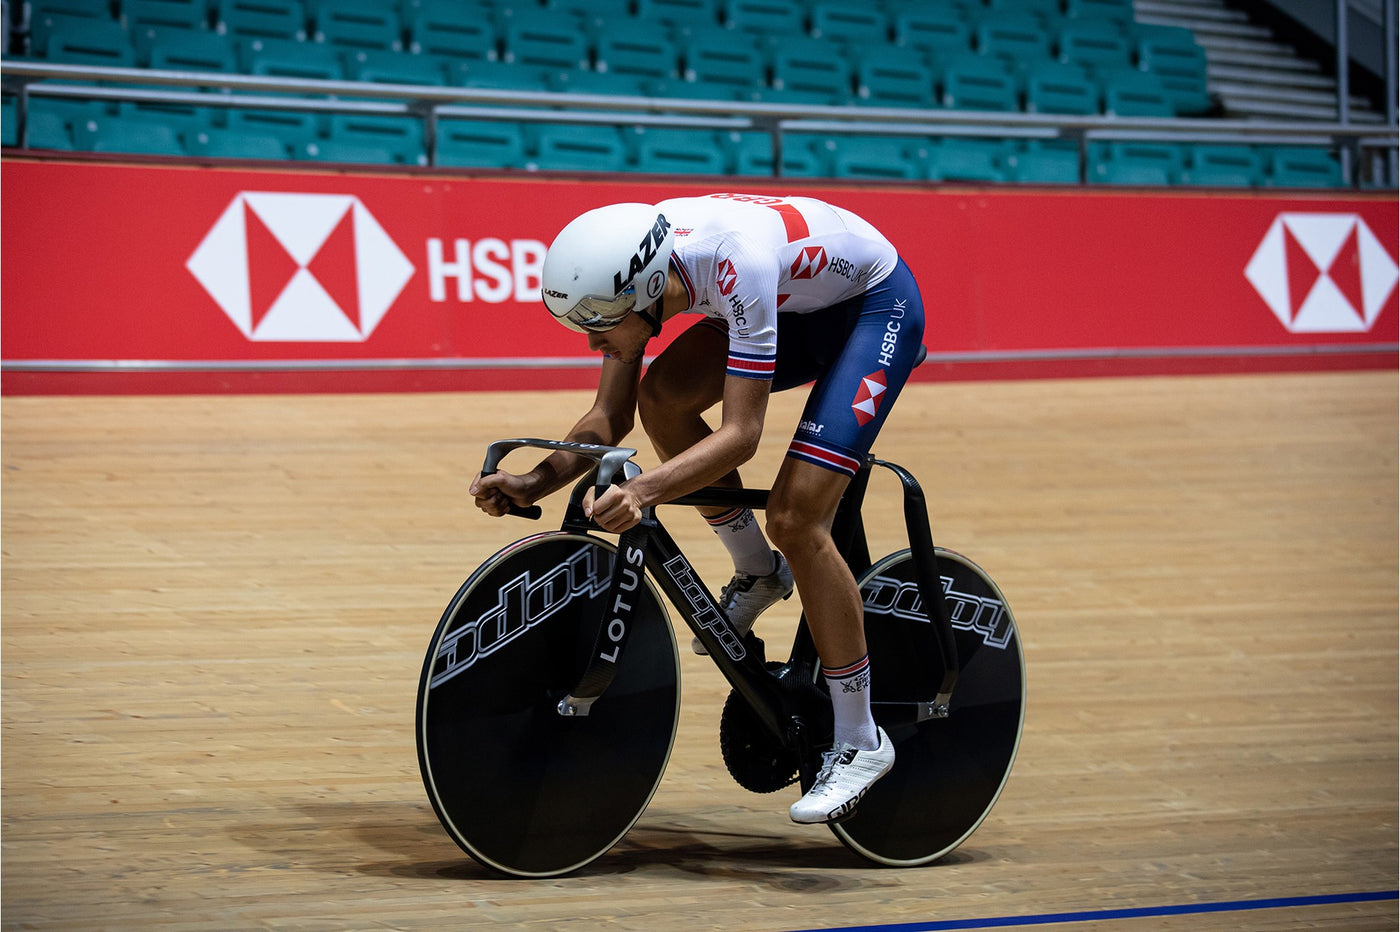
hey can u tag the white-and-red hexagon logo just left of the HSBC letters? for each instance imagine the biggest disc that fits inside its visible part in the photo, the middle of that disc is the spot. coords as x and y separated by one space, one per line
300 268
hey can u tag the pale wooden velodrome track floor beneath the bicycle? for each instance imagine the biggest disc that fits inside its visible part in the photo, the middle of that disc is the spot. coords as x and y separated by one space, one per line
216 611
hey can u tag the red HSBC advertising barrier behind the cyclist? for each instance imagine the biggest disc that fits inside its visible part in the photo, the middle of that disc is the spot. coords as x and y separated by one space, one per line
170 279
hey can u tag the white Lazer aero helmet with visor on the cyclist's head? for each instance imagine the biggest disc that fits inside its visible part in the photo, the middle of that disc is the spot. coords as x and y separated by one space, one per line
607 264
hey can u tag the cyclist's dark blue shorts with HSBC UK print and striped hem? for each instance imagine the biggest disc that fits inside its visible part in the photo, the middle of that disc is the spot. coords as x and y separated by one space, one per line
860 355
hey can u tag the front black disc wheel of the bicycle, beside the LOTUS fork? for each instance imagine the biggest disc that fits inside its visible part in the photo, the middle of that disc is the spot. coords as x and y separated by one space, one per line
520 787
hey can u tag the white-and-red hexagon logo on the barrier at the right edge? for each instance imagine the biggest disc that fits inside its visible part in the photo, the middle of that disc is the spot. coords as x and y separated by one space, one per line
1322 274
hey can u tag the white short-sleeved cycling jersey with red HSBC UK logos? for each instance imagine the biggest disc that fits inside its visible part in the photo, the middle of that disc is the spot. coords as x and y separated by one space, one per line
747 258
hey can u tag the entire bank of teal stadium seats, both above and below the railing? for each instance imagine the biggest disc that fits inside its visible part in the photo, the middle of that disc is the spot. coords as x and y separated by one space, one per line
1044 57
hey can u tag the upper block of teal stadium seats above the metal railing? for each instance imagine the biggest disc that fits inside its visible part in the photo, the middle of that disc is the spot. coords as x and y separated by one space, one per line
933 55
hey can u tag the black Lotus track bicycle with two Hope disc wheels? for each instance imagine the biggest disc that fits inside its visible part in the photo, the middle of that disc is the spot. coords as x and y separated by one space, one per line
549 696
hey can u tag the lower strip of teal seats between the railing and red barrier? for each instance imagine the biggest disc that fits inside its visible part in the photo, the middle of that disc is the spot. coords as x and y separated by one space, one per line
278 135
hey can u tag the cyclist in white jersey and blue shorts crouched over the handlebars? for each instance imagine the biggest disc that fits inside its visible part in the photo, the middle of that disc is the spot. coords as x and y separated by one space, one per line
789 290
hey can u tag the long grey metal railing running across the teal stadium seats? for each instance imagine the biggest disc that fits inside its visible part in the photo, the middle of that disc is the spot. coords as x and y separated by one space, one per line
432 104
